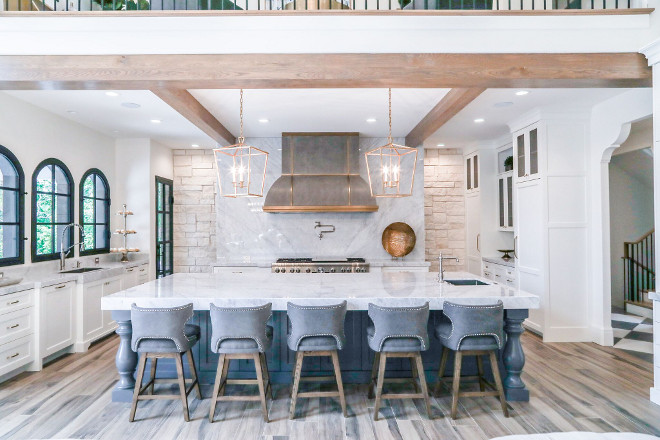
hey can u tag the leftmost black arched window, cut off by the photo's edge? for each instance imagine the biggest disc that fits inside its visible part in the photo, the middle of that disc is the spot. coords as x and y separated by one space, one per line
12 190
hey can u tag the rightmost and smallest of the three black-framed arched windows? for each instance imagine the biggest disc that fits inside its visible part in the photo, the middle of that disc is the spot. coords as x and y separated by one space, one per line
95 212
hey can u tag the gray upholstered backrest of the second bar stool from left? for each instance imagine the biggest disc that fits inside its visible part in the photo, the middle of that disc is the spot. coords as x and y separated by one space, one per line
240 323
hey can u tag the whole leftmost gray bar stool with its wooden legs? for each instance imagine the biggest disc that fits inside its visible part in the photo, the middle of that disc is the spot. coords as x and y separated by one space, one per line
163 333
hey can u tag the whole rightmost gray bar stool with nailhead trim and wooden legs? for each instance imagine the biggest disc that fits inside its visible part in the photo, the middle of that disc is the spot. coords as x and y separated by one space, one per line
472 331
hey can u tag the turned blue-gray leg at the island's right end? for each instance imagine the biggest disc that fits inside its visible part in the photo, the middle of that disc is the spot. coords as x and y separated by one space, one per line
513 356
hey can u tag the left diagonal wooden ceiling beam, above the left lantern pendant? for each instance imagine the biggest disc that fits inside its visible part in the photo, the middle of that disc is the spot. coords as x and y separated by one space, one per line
183 102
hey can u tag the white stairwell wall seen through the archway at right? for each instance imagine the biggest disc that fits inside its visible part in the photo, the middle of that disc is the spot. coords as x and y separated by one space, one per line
631 216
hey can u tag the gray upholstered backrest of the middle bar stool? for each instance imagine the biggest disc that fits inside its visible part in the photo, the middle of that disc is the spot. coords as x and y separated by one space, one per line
307 321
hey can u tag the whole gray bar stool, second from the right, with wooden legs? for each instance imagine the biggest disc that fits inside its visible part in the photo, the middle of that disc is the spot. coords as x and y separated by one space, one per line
398 332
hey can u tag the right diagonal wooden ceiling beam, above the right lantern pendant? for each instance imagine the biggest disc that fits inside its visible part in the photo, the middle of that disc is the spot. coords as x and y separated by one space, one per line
450 104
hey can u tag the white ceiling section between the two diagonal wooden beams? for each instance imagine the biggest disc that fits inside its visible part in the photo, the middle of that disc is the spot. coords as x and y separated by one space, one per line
320 110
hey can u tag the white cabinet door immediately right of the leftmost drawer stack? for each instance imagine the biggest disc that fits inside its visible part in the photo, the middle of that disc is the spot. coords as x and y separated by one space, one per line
57 317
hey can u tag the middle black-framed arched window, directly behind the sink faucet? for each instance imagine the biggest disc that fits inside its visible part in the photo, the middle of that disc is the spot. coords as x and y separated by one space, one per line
52 209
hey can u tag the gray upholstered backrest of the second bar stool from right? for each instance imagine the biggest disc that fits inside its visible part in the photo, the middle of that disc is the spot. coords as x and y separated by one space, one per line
399 322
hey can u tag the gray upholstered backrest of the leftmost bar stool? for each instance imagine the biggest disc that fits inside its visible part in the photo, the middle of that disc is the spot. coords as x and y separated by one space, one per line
160 323
